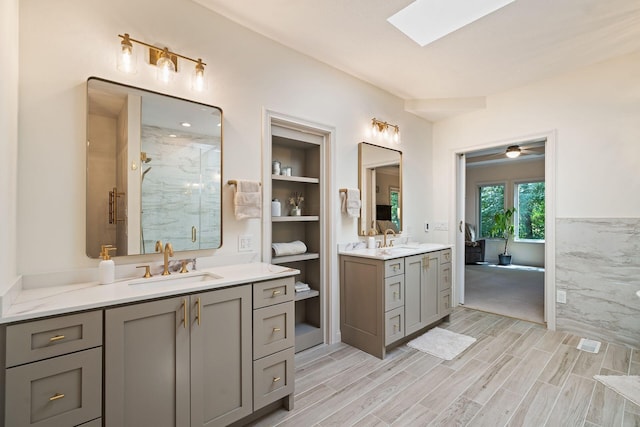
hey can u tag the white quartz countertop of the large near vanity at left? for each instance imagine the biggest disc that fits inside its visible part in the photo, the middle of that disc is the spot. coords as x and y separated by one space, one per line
55 300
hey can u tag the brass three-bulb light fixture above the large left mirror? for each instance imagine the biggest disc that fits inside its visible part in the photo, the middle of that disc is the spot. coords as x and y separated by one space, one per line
165 61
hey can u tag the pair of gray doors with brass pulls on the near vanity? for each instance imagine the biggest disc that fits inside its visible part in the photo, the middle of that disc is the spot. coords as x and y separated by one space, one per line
183 361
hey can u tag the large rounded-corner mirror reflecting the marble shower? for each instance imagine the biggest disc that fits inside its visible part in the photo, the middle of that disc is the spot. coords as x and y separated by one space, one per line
154 168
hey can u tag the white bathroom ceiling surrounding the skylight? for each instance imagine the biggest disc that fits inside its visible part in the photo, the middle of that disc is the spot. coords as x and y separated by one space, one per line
524 42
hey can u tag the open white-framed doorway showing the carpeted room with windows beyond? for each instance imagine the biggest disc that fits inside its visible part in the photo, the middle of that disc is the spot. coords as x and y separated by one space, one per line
480 283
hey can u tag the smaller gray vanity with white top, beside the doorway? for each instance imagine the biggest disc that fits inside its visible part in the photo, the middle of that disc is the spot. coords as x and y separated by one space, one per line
391 295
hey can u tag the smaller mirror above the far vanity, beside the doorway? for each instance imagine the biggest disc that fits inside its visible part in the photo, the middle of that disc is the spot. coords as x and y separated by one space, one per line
380 183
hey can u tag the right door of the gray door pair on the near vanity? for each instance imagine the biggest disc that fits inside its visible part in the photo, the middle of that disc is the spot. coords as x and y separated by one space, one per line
221 356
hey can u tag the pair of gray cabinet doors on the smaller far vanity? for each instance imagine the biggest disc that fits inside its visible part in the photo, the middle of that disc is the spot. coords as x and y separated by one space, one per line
421 291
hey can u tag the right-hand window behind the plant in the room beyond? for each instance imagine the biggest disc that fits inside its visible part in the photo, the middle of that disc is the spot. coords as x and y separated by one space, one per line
529 202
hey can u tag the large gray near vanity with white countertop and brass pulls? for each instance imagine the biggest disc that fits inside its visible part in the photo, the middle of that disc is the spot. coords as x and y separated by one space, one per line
207 351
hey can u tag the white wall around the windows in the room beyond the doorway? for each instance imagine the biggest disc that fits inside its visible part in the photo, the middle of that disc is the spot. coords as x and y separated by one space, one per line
524 253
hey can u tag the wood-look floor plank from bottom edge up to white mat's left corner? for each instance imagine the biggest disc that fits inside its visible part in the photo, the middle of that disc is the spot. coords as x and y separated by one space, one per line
573 402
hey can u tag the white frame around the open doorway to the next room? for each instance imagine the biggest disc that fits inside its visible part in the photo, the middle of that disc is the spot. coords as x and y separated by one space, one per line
550 138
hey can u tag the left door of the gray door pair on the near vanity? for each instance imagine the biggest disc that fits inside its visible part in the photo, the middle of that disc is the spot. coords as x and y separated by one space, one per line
147 364
